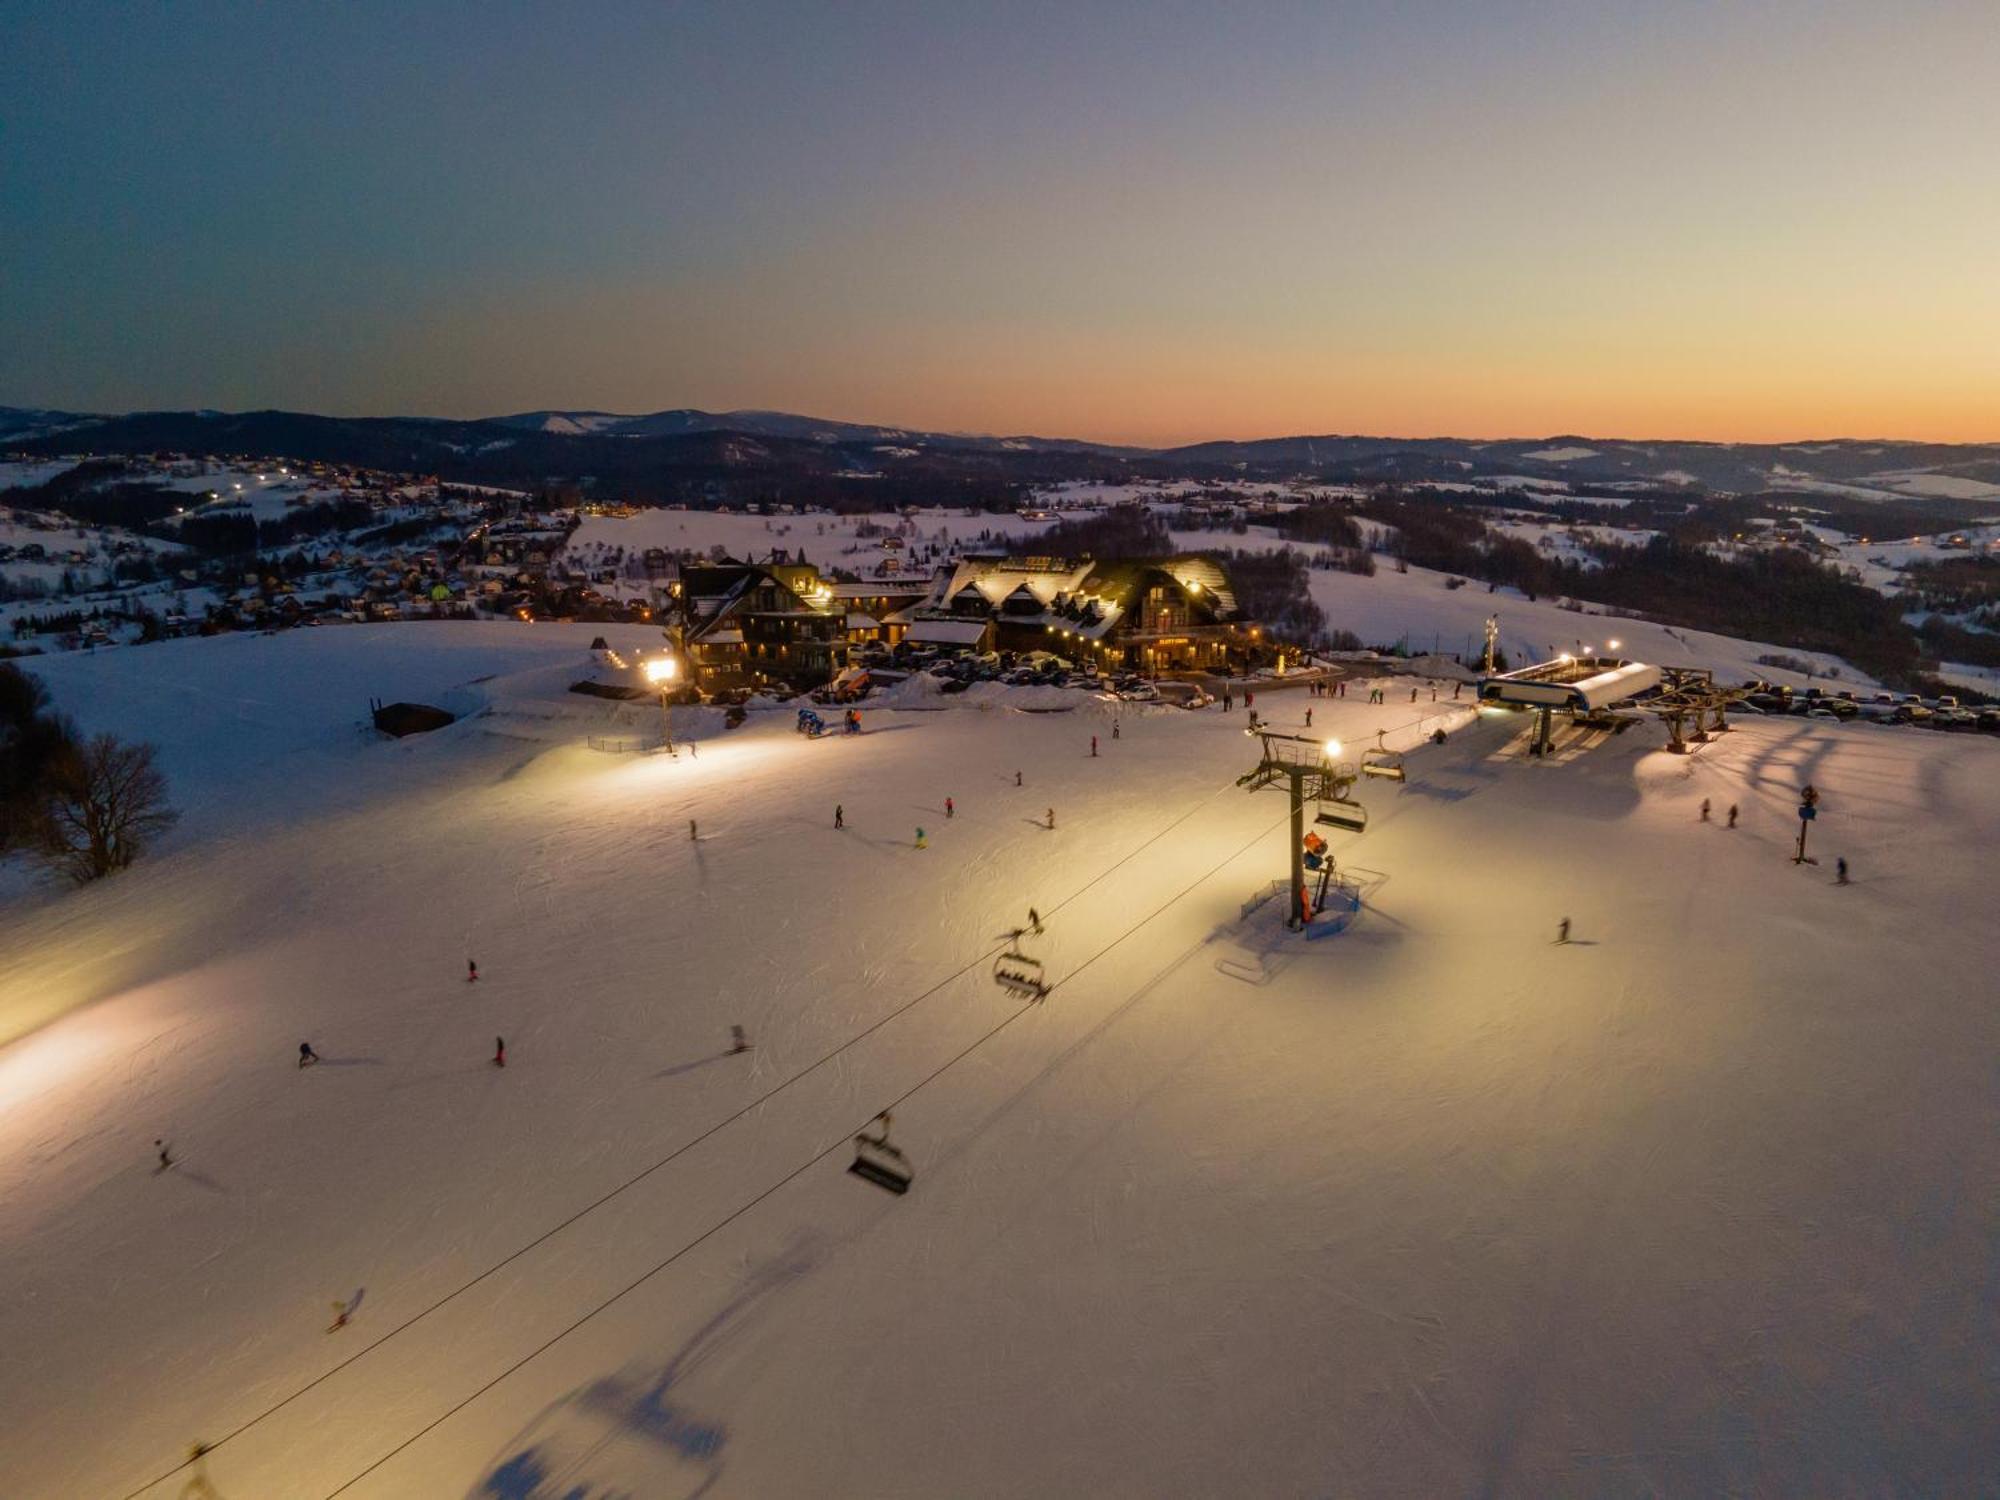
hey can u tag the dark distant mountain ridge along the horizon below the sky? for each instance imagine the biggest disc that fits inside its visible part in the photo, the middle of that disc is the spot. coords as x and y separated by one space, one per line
687 451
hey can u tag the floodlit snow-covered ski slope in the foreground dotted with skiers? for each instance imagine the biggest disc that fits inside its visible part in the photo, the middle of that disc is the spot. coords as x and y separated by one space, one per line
1699 1205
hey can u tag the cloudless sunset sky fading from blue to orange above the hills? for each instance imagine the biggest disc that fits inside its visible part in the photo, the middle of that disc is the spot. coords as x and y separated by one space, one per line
1135 223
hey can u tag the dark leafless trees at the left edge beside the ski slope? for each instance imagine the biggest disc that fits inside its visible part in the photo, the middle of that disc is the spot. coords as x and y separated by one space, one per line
83 805
